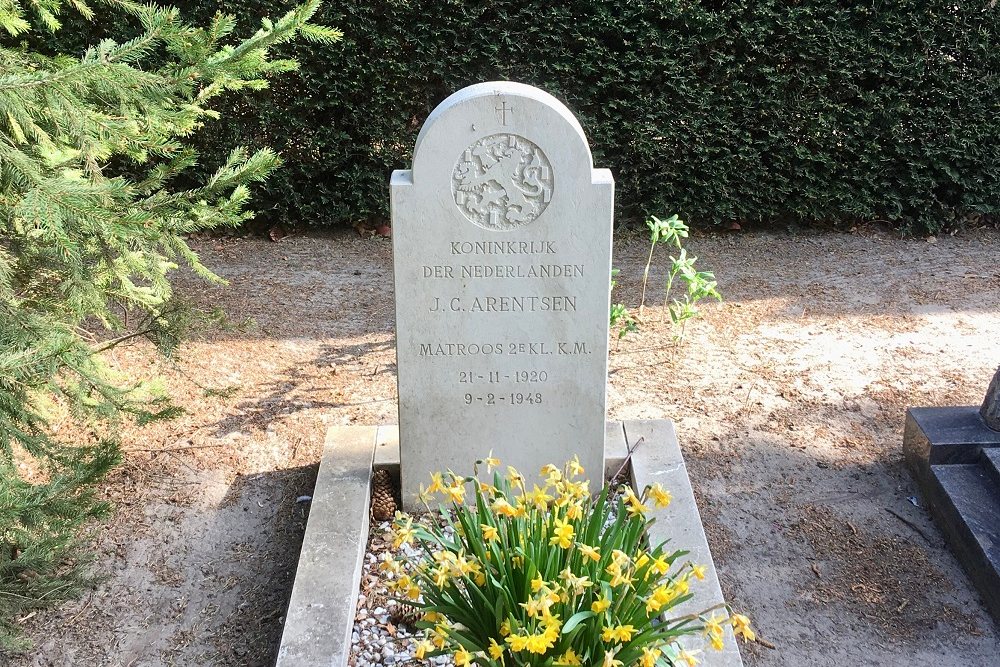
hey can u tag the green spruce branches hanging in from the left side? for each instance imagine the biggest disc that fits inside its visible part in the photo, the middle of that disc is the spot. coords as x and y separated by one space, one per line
92 218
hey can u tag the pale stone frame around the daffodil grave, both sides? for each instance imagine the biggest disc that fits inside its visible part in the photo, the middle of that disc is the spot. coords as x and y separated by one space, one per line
320 615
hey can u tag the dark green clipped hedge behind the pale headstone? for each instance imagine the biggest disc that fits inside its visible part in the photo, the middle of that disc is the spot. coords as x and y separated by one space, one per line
762 110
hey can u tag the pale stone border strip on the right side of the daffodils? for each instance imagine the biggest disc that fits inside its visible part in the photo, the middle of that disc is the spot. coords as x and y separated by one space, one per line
656 457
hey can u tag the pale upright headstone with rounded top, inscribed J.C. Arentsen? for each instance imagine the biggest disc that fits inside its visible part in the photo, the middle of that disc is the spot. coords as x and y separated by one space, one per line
502 261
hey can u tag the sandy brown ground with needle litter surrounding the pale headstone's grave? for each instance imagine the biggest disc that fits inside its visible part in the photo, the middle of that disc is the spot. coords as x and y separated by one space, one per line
789 400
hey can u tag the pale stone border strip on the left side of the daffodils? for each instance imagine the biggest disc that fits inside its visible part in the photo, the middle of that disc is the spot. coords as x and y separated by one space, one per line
320 614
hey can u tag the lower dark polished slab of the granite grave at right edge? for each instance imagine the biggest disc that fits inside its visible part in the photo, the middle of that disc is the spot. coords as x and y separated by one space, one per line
964 500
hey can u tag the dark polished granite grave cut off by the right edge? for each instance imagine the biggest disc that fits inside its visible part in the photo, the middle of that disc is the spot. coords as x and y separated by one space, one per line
954 454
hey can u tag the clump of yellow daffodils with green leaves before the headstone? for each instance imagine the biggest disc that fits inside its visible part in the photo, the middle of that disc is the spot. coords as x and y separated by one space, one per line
511 576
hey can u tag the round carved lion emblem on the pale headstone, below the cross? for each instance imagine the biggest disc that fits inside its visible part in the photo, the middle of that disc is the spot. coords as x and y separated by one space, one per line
502 182
